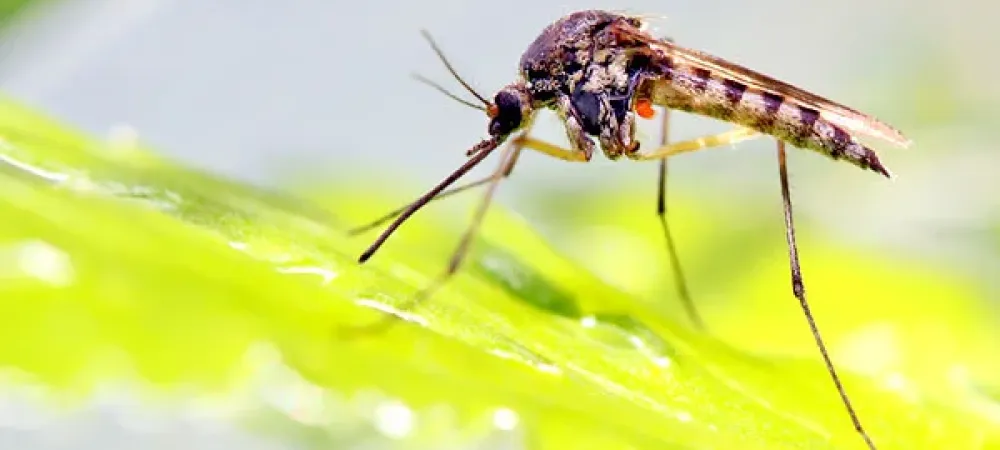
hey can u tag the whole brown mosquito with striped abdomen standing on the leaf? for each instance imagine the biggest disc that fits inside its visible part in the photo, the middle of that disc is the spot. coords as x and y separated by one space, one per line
598 70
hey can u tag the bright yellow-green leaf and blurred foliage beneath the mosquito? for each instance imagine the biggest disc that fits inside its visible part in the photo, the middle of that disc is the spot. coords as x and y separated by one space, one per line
116 265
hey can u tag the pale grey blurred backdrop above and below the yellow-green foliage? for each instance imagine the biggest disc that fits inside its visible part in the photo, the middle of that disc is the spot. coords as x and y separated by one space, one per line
263 90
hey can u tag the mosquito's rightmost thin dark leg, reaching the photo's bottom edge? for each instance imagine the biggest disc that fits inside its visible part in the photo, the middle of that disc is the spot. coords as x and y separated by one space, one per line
798 288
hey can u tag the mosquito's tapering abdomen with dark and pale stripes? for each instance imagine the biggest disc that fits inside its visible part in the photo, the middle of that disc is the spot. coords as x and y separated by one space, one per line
697 90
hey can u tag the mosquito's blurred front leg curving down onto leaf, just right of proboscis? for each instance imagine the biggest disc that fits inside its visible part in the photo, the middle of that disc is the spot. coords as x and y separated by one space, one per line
460 251
